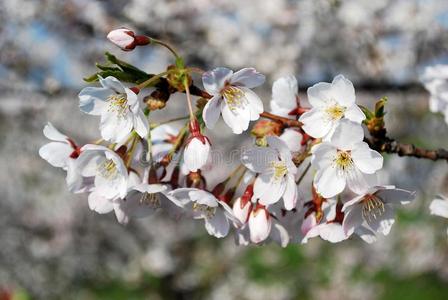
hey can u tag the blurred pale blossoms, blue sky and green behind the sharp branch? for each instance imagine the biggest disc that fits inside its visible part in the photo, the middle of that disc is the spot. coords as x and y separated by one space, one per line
53 247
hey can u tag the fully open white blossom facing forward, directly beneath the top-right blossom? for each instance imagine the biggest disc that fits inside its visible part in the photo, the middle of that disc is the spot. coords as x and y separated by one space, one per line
345 160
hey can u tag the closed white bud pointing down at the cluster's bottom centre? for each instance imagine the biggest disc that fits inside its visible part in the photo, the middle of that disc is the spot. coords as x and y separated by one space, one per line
260 223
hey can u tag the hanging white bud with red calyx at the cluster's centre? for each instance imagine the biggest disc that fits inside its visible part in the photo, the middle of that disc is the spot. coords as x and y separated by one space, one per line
197 149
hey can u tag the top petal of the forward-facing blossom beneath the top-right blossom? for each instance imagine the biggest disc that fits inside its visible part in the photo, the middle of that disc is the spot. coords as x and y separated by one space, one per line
346 134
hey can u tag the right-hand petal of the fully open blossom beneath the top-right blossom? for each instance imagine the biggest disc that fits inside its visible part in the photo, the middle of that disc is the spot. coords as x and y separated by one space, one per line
367 160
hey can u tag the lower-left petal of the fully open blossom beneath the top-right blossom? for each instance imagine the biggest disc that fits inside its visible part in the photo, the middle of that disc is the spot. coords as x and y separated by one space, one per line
328 183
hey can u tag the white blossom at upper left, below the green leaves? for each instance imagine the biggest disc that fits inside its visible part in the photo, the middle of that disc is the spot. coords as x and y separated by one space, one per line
118 107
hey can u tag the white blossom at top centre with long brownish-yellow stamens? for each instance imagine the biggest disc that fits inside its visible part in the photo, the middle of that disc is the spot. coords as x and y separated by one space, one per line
232 97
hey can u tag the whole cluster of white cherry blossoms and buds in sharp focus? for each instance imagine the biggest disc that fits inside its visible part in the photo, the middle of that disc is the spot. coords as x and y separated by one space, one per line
139 167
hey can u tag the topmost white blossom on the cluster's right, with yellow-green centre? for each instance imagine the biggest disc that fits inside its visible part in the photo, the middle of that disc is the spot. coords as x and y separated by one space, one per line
331 103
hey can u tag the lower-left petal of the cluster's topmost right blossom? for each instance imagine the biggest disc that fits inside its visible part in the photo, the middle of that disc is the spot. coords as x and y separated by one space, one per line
316 123
